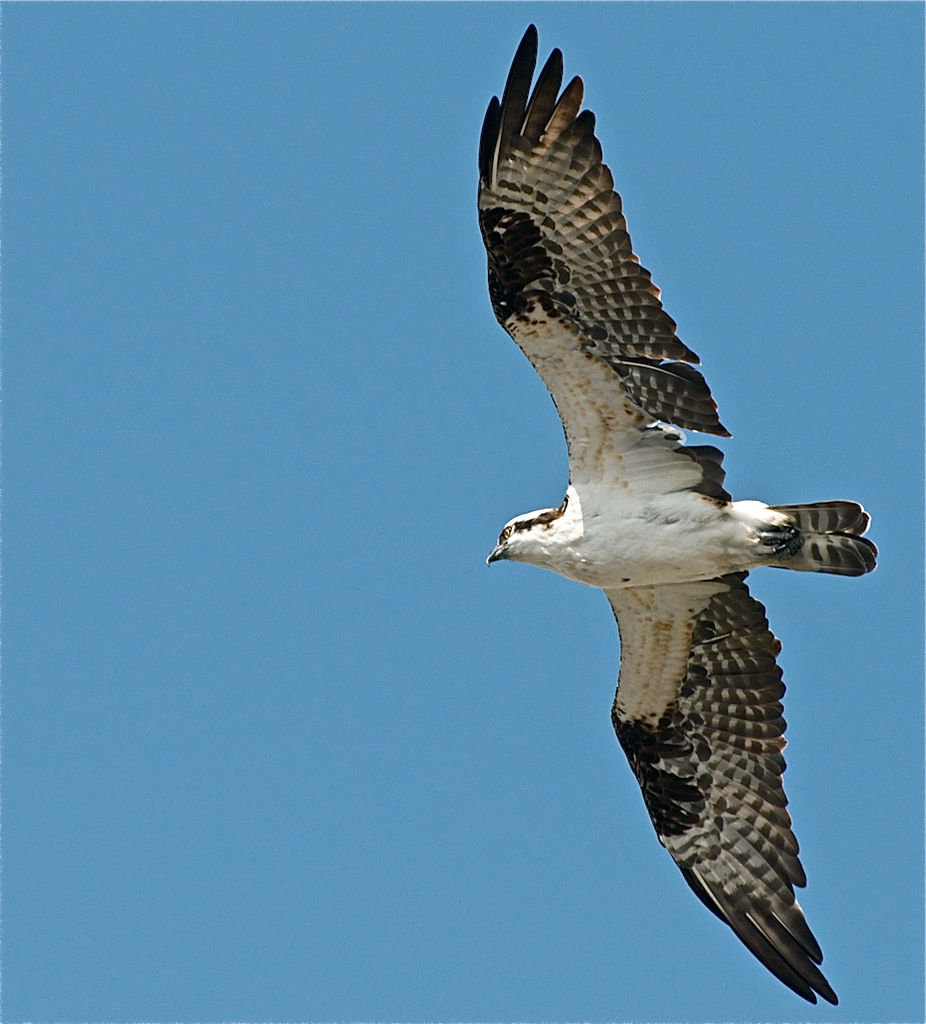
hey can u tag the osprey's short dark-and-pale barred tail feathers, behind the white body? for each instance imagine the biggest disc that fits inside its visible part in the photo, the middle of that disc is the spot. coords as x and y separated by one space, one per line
832 538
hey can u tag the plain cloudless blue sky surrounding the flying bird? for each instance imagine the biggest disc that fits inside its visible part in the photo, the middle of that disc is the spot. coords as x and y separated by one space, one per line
277 745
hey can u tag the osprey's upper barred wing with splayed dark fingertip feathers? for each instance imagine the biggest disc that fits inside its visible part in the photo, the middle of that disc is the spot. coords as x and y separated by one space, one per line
564 280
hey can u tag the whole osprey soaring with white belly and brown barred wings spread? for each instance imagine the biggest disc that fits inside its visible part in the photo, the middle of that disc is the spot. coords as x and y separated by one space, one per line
647 519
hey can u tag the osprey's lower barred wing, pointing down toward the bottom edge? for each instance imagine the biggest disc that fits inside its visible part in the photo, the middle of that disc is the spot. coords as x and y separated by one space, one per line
698 713
